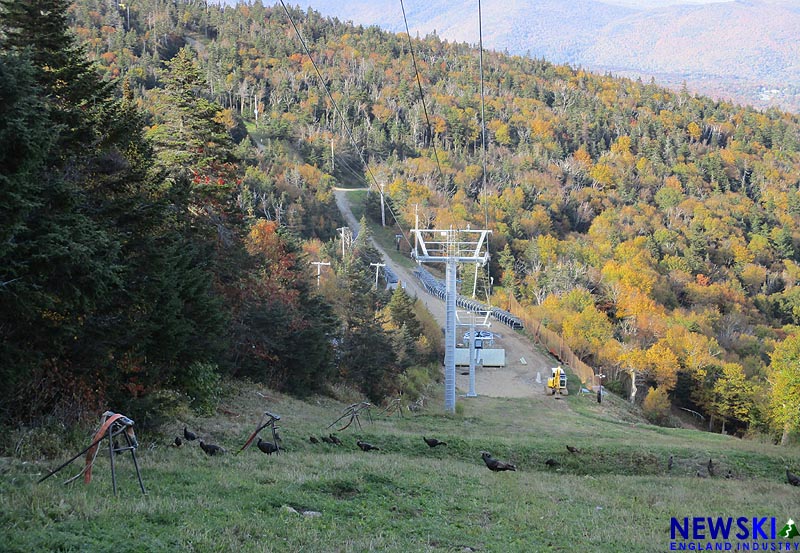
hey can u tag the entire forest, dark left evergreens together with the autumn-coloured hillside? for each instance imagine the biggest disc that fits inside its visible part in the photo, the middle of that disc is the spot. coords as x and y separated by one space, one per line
658 232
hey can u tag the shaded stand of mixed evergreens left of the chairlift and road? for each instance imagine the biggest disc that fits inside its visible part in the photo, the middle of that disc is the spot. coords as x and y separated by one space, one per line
147 253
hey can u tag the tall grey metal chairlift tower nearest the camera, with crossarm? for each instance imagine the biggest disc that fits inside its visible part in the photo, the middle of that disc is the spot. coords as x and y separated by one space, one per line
450 247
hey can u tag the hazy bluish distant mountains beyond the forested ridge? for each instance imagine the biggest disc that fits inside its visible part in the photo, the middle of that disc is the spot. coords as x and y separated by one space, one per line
747 51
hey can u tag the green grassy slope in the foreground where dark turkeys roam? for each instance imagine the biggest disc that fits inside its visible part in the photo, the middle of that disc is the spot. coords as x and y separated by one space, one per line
617 495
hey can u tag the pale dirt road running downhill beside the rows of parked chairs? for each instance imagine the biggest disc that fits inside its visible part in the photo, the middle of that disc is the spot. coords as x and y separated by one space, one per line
523 360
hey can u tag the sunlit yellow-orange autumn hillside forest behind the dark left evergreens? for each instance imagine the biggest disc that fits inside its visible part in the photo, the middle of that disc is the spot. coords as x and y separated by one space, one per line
657 231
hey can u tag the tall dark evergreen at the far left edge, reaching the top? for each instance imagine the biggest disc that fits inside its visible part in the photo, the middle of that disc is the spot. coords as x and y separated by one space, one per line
66 262
